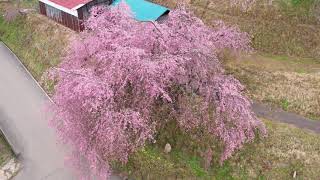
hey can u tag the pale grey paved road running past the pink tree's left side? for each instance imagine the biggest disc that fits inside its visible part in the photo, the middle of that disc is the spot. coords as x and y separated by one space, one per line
22 120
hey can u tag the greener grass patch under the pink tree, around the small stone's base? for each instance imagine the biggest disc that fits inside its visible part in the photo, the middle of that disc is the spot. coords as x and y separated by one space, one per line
152 162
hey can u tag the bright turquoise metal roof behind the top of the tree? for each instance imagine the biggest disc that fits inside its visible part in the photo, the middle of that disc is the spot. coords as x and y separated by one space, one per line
144 10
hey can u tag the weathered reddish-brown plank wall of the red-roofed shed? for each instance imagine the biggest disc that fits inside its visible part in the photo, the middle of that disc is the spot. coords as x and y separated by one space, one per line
61 17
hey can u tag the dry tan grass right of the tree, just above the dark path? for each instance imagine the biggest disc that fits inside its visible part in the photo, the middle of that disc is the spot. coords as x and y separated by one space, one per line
293 84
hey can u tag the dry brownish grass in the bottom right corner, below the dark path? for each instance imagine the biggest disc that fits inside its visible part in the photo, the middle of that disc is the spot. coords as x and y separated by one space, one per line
285 150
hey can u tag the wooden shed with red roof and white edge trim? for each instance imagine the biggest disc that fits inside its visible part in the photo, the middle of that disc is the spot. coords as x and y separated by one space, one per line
70 13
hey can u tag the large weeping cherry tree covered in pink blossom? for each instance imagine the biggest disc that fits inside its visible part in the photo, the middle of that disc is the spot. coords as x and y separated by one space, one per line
118 69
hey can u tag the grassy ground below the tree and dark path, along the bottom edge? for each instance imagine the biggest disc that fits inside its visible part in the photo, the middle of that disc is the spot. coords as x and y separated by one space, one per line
285 150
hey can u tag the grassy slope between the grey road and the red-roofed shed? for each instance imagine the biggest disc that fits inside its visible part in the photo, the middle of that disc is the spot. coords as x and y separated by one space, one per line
37 41
